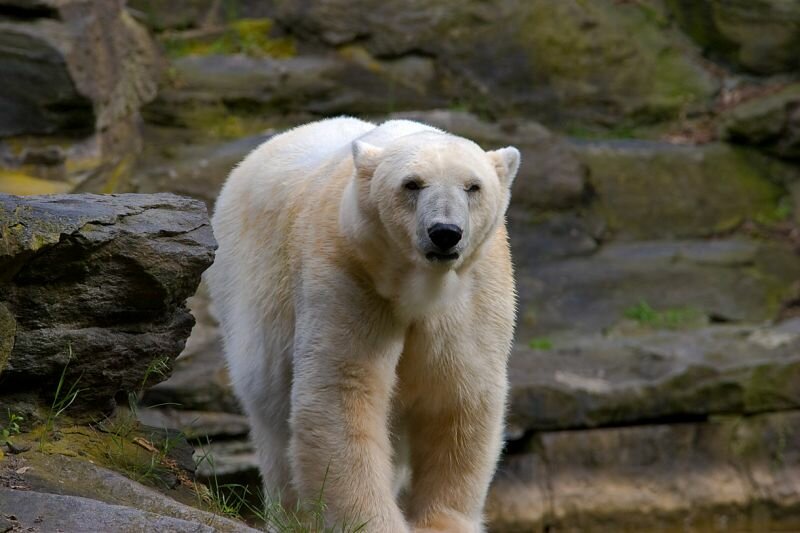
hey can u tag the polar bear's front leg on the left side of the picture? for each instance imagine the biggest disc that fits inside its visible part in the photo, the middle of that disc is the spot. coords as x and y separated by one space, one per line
346 351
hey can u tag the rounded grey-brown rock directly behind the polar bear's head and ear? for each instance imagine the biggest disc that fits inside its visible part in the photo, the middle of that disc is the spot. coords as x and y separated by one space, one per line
550 177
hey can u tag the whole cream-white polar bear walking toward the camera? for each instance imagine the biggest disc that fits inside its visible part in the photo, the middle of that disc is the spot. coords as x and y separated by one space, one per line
364 286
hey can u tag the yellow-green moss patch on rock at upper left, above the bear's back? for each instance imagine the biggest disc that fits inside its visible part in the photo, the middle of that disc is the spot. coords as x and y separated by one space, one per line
245 36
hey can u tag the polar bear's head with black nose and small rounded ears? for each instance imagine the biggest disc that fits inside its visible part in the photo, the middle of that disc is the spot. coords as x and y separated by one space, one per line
436 197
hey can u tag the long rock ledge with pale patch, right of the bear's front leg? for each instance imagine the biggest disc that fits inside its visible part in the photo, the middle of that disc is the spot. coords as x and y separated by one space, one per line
656 375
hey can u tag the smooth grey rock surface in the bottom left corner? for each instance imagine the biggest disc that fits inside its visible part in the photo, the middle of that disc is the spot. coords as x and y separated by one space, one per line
71 514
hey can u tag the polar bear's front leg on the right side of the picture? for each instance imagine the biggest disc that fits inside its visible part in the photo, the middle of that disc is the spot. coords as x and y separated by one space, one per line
458 380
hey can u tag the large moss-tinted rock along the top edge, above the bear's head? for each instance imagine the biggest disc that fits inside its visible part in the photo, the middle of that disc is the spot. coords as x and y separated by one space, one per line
562 60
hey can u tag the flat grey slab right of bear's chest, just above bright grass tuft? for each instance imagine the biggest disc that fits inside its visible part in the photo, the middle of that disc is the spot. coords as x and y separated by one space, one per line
726 280
